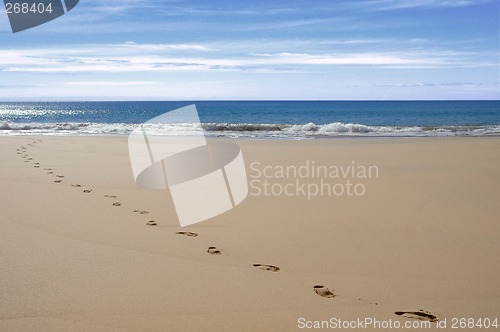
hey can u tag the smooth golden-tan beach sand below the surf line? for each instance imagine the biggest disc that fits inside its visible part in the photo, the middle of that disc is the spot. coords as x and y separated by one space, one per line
424 235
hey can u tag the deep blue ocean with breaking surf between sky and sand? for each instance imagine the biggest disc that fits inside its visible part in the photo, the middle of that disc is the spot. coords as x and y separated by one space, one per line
259 119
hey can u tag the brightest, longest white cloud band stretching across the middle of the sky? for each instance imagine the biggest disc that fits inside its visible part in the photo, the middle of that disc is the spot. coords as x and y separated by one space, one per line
134 57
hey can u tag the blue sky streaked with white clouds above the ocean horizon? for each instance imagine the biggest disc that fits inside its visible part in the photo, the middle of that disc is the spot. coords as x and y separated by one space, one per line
257 50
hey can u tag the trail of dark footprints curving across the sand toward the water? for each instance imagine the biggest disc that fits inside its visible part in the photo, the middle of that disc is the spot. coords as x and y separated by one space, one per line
321 290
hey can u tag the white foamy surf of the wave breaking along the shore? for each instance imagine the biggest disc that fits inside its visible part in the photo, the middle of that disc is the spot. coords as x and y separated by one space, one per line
245 130
